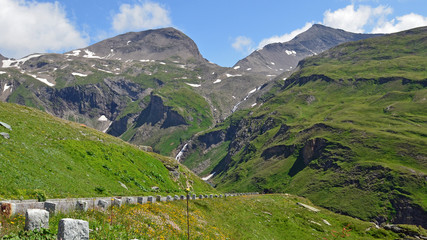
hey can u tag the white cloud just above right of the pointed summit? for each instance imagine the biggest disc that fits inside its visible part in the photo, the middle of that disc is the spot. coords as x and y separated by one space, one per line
355 20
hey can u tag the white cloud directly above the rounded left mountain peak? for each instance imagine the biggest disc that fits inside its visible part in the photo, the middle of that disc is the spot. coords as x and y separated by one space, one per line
141 16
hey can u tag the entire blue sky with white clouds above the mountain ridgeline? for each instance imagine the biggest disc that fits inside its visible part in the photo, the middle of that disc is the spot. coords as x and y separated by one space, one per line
224 30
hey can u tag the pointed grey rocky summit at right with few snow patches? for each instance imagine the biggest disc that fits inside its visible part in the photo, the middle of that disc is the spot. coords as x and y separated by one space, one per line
276 58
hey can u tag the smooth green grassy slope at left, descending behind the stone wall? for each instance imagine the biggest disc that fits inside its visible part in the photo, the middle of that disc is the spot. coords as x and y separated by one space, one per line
58 158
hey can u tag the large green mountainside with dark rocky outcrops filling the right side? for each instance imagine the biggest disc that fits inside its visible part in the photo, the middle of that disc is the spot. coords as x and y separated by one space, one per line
355 143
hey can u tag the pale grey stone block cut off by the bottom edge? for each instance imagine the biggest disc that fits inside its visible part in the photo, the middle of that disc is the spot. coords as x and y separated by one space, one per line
70 229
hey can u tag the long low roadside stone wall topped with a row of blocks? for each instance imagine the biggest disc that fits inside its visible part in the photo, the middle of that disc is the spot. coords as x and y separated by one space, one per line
11 207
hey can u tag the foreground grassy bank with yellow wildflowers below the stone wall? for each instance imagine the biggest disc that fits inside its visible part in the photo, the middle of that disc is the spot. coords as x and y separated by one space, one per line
247 217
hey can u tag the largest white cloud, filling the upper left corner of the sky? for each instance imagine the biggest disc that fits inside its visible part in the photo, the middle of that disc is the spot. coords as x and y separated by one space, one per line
28 26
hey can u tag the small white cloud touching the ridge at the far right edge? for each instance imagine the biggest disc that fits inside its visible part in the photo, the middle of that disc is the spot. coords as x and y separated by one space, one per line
401 23
